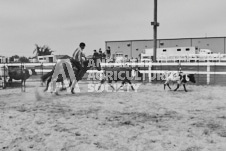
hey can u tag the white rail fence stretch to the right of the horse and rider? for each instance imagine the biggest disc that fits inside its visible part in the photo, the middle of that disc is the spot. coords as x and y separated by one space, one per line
205 72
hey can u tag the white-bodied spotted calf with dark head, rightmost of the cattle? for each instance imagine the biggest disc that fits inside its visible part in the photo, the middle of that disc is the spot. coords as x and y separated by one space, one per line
179 78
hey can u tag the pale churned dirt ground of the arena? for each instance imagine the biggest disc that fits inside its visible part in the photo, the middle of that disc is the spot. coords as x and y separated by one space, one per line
150 119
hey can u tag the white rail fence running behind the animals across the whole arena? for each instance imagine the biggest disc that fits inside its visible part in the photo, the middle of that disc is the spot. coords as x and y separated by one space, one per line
213 73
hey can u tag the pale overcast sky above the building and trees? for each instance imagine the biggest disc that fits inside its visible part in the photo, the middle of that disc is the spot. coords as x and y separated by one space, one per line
63 24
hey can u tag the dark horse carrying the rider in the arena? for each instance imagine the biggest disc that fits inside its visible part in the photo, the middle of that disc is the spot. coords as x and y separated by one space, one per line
67 70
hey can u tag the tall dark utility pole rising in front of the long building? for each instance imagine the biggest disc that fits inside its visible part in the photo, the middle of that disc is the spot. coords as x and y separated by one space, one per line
155 24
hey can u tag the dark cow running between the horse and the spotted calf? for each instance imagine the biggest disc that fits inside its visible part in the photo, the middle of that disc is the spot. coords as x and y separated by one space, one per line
123 74
